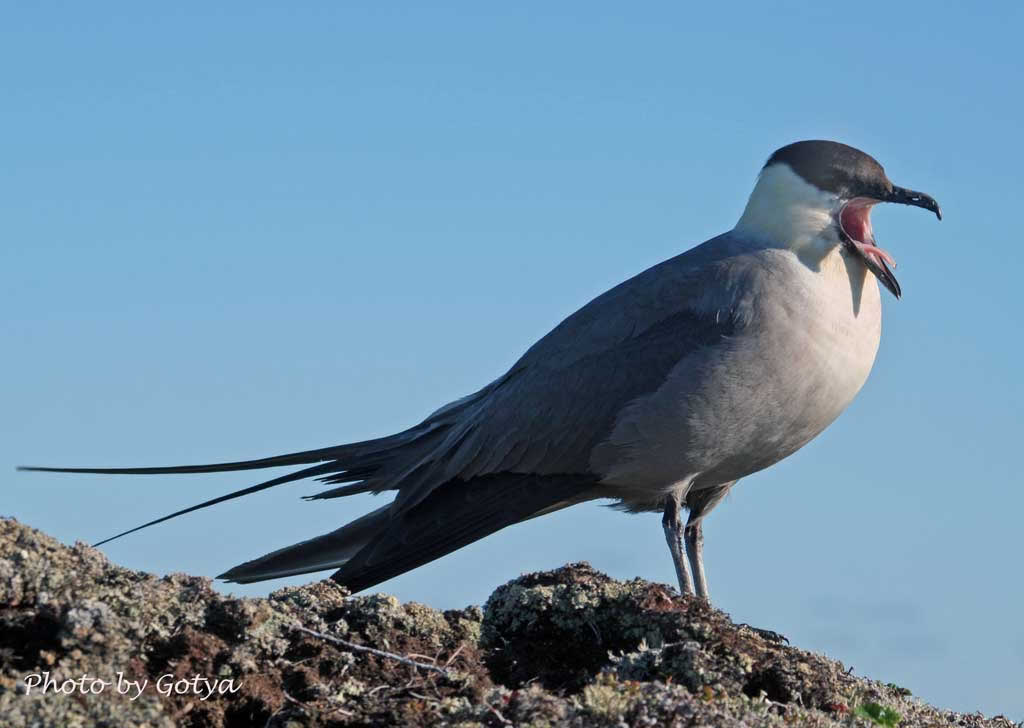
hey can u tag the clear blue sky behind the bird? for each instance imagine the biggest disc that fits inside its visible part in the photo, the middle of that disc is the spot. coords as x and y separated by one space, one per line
238 232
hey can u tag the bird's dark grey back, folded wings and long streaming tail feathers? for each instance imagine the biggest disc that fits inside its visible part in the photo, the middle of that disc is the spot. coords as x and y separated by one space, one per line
522 447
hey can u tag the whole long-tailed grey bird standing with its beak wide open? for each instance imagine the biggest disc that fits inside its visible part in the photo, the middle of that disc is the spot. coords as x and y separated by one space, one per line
659 395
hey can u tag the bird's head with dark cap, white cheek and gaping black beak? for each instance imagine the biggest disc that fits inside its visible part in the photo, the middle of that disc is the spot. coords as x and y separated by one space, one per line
822 193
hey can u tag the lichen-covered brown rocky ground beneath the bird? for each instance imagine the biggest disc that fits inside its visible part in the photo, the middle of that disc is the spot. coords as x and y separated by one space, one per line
84 643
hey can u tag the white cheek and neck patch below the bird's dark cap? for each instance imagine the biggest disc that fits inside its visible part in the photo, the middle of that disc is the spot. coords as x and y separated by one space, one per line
786 211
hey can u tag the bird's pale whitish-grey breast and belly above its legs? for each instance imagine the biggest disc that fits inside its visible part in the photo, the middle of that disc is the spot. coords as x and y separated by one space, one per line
737 409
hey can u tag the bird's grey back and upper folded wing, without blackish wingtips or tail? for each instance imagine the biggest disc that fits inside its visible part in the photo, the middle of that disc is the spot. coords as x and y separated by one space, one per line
562 399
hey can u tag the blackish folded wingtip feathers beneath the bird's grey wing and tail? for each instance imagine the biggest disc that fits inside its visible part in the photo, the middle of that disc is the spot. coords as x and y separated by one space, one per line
382 544
